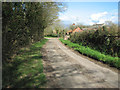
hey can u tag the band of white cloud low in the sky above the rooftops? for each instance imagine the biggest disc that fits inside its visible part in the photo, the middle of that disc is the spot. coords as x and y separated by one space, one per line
91 19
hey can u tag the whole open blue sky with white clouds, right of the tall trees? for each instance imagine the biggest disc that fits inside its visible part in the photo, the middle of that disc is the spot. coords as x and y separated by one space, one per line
89 13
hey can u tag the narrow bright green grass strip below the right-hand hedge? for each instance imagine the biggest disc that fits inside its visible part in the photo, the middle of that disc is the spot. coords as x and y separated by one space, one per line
112 61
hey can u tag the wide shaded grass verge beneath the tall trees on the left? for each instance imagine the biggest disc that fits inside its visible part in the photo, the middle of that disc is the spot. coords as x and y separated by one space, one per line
26 69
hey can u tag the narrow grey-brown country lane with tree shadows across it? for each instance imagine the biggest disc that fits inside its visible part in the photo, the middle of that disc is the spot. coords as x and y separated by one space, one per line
66 69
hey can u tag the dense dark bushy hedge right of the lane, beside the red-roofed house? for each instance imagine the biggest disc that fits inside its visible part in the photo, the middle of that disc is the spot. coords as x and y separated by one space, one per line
102 40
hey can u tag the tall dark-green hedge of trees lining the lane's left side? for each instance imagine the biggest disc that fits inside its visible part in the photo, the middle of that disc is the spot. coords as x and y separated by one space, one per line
24 23
